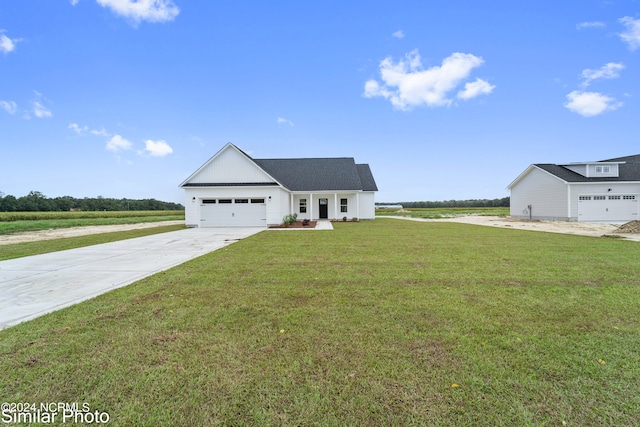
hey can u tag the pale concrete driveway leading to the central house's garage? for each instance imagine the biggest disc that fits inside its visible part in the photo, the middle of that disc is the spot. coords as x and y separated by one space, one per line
35 285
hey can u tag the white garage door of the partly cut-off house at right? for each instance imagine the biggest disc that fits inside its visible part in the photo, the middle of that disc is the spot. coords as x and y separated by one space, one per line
607 208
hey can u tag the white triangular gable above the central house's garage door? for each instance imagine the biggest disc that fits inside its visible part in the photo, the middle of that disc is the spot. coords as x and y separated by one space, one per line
229 166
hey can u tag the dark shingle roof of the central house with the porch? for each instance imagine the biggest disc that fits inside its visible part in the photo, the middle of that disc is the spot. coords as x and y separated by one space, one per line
330 174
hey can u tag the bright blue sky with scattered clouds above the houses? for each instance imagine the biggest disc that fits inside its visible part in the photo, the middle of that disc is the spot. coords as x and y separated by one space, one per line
444 99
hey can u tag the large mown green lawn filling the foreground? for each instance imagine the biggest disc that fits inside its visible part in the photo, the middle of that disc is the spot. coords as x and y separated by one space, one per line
376 323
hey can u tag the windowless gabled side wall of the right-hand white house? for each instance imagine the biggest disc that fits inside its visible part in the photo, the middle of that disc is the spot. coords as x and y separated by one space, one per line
546 194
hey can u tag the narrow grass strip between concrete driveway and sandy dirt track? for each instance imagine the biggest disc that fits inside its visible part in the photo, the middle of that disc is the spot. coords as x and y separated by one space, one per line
18 250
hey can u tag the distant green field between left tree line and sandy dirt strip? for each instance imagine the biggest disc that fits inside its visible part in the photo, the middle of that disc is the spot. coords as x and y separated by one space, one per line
15 222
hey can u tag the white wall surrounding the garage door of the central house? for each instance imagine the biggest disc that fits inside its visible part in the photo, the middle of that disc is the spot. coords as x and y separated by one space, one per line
274 205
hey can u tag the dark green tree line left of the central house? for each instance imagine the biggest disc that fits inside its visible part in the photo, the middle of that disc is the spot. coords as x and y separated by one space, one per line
35 201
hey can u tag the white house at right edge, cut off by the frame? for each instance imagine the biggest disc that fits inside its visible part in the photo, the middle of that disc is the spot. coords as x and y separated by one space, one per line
606 190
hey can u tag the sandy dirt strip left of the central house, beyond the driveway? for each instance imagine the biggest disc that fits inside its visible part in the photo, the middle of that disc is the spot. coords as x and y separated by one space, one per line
61 233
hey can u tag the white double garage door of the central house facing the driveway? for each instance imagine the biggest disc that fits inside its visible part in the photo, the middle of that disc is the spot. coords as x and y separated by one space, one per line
233 212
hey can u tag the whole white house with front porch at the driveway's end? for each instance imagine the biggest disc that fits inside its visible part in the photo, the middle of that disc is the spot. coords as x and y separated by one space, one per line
233 189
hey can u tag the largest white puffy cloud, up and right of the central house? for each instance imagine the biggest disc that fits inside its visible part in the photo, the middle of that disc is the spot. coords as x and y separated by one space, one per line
407 84
